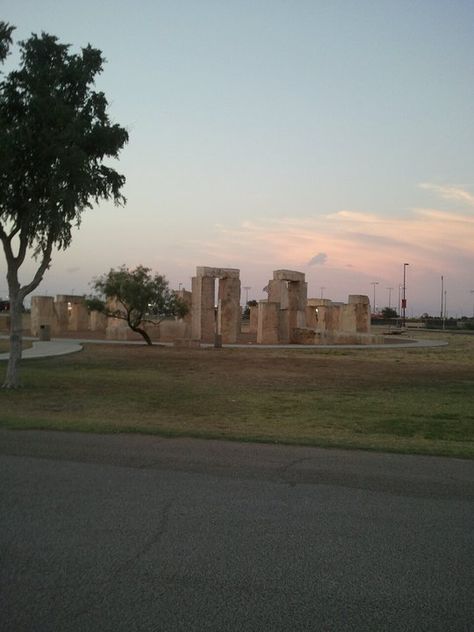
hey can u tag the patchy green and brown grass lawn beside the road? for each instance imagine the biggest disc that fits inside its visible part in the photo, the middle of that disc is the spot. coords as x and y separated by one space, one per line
402 400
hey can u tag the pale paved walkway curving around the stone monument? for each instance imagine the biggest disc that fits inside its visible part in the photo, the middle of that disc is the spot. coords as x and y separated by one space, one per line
64 346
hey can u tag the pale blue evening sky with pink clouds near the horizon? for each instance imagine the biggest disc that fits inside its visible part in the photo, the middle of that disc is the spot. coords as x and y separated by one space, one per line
331 137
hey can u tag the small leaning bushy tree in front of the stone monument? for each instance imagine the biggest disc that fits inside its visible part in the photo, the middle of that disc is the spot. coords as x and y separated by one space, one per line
136 297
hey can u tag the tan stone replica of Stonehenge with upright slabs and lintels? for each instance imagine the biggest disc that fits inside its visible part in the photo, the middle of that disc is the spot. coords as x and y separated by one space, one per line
288 316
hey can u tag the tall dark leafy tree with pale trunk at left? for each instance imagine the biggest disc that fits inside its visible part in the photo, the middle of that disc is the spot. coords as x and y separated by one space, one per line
54 136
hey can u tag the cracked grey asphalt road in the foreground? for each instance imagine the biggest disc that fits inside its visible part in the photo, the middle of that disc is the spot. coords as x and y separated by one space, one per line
131 533
